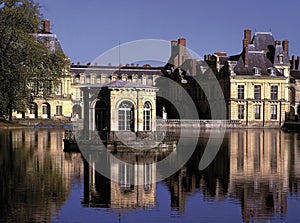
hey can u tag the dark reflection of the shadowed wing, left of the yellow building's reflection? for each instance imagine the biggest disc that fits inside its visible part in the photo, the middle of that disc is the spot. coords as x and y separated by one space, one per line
212 182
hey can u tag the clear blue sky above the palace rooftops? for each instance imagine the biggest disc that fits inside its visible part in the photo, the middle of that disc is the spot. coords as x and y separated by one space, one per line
87 28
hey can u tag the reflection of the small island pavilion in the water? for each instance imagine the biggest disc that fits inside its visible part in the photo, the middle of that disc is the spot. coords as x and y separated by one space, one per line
133 185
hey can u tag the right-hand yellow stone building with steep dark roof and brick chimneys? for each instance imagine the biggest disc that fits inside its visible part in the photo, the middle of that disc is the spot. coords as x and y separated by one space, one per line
259 81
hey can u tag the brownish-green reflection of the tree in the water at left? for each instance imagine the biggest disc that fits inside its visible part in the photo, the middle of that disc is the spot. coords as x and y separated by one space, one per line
32 189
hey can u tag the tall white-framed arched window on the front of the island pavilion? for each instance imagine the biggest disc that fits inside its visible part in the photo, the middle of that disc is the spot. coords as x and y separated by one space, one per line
126 116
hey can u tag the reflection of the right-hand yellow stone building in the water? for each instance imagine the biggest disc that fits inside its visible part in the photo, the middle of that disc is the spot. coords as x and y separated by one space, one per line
259 172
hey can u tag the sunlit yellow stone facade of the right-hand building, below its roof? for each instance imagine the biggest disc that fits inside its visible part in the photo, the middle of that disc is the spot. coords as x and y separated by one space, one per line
265 102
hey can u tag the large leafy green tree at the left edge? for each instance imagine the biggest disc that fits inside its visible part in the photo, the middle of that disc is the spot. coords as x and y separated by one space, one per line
22 57
